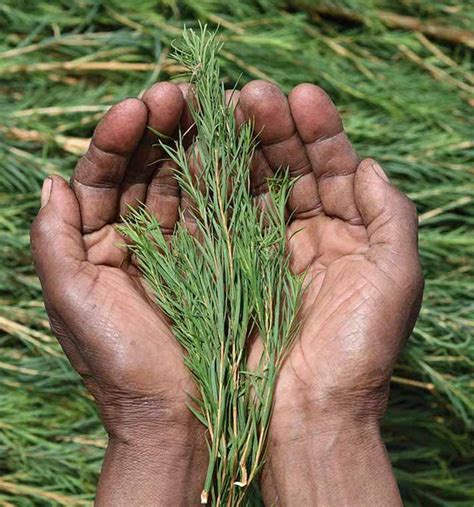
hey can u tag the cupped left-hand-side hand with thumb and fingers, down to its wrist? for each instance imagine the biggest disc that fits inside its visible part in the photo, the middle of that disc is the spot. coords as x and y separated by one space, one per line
112 333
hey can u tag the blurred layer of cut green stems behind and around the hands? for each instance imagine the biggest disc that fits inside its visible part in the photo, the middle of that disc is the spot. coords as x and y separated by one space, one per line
401 74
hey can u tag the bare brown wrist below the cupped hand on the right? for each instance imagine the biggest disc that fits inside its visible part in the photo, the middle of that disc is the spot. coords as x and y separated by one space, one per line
333 460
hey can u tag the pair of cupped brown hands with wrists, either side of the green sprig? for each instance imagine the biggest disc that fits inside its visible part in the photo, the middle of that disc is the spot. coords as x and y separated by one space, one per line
357 242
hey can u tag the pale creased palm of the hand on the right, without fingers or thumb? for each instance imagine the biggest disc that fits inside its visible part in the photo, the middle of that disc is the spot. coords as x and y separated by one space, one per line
337 304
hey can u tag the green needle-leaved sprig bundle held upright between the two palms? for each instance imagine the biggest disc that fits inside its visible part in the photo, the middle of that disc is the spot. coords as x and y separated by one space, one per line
226 284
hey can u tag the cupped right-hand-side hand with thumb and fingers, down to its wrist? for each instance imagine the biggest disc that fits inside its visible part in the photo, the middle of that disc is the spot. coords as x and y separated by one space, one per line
355 236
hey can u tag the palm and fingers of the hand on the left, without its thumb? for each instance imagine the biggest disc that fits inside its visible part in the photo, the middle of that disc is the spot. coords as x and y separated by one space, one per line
143 362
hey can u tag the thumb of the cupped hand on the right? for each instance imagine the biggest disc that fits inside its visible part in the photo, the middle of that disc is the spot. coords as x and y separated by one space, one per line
391 222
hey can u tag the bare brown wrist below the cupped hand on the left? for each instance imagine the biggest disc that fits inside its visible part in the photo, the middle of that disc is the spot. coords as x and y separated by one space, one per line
160 467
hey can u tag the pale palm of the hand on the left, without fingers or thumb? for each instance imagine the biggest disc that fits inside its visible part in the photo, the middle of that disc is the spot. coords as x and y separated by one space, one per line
128 356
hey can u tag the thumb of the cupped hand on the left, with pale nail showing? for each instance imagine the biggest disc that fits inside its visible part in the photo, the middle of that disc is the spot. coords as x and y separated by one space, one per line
56 239
